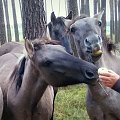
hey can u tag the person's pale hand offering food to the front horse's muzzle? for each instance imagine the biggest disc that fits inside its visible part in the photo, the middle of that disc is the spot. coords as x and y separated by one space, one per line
109 78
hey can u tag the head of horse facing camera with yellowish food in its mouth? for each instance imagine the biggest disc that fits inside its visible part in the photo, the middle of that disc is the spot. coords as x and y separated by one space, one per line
87 35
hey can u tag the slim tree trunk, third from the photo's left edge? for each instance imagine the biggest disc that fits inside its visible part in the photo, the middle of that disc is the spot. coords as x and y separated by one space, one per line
15 21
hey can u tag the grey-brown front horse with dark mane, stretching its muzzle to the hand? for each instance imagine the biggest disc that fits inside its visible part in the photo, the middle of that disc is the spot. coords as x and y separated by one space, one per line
24 84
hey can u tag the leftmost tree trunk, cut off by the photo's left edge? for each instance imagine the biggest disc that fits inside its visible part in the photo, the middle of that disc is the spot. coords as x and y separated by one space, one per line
2 25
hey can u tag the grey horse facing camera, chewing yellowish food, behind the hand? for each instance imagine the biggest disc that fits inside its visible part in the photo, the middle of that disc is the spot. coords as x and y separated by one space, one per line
101 105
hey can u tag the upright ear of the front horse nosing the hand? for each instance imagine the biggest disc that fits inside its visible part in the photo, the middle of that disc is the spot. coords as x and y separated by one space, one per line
29 47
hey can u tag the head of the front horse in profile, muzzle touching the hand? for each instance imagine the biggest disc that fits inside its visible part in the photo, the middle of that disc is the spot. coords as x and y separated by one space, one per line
57 67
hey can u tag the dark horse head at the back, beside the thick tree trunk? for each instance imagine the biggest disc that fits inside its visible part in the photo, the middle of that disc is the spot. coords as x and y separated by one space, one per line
58 29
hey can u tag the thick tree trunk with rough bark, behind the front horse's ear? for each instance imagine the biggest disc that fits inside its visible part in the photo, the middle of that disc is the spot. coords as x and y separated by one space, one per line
33 18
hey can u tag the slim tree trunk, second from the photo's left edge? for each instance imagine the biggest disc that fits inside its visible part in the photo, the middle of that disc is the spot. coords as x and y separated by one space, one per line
7 20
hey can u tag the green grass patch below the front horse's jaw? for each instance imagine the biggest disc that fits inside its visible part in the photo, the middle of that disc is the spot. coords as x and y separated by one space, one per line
70 103
